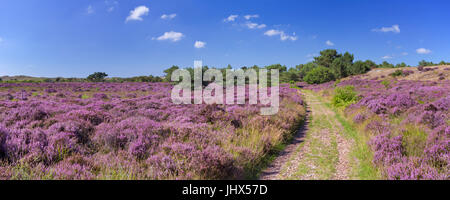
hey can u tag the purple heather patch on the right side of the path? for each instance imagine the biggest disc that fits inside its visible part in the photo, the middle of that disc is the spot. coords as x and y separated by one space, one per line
407 123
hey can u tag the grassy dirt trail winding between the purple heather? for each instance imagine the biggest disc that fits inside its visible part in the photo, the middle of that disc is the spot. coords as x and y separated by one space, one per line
319 150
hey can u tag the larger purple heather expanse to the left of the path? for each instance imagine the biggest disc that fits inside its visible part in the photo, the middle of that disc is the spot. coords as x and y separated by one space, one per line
133 131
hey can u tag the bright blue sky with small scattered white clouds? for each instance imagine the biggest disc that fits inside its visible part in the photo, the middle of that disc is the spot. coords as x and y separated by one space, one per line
132 37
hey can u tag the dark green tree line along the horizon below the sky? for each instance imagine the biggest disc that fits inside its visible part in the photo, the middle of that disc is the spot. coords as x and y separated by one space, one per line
328 66
